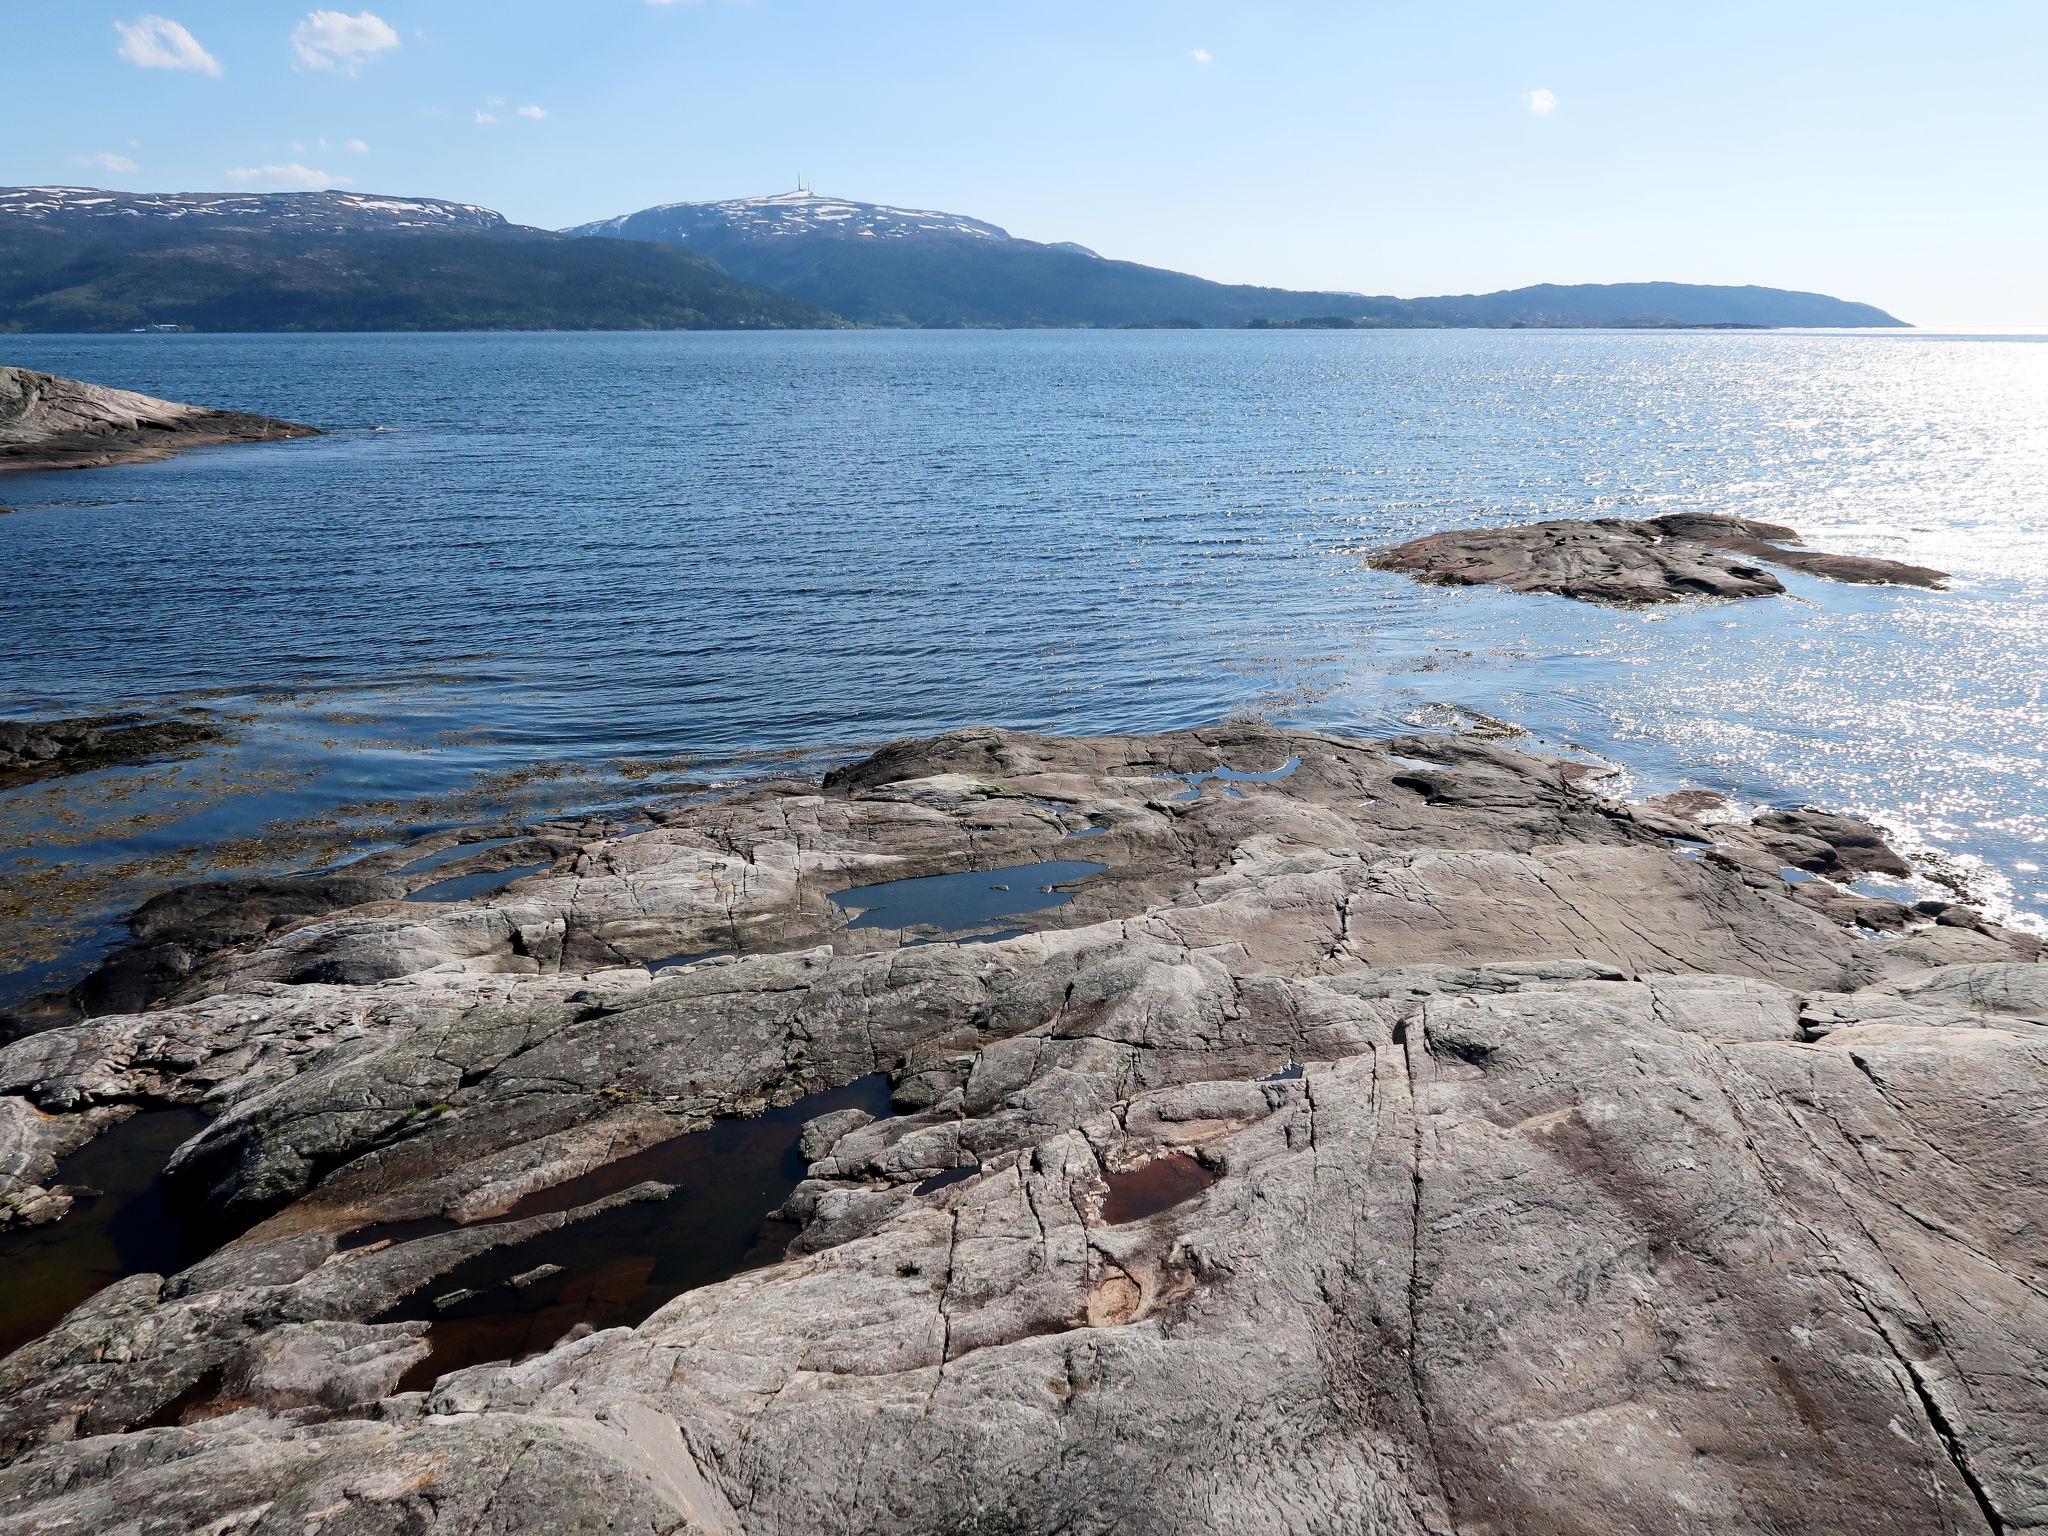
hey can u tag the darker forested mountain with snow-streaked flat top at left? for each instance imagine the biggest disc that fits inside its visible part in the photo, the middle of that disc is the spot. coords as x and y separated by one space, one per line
77 259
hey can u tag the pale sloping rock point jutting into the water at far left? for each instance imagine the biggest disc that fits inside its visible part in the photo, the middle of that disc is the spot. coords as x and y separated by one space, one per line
52 423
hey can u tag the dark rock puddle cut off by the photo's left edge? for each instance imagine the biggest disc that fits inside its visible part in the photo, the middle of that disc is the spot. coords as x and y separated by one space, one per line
124 1230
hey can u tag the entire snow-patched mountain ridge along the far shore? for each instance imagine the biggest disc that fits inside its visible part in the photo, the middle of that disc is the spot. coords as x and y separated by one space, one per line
95 259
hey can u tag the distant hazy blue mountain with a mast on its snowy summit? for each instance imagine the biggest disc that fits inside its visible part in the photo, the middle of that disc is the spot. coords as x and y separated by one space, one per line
912 267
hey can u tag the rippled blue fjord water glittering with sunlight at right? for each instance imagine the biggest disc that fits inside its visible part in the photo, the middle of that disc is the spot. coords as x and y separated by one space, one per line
550 572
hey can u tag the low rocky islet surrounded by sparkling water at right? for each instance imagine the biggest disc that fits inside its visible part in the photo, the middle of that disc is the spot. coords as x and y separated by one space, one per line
1621 560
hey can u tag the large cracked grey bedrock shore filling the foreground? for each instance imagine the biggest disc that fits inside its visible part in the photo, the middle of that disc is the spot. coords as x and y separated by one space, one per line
1410 1144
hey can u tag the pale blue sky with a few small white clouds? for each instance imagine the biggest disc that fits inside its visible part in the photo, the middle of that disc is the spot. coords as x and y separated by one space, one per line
1883 153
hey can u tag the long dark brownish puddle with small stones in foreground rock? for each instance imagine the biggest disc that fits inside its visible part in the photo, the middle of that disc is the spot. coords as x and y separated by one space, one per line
622 1265
